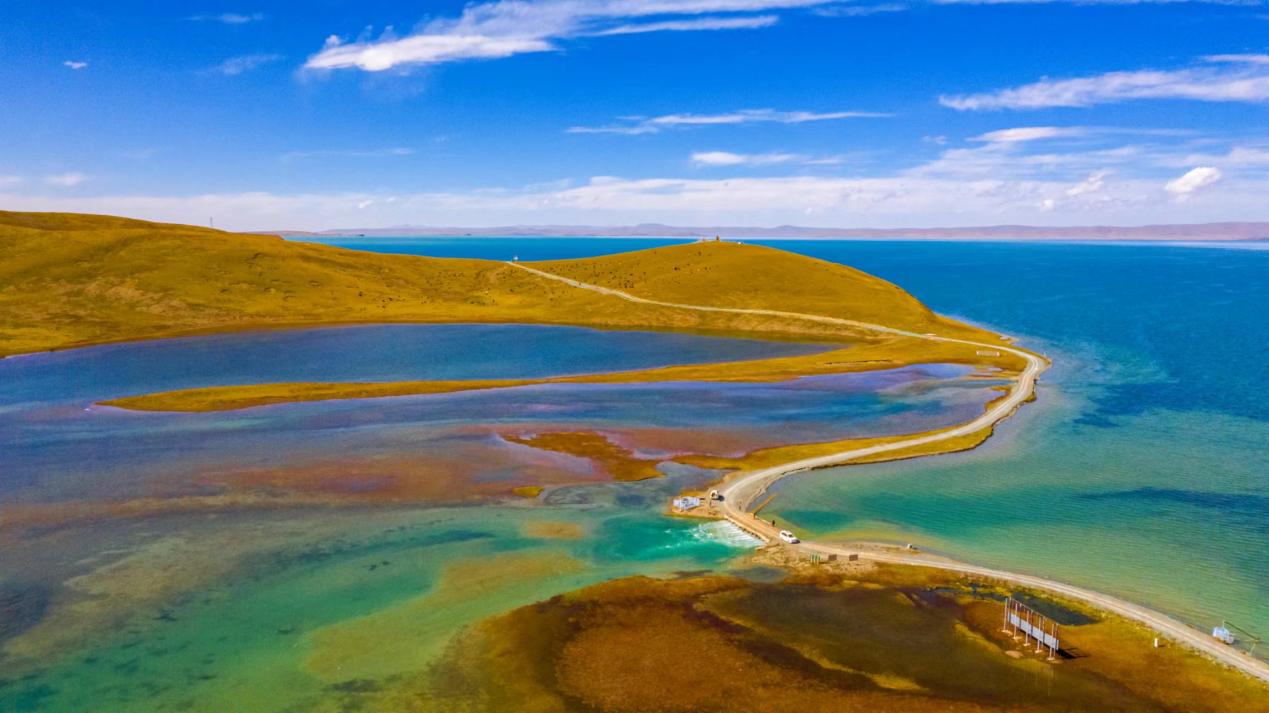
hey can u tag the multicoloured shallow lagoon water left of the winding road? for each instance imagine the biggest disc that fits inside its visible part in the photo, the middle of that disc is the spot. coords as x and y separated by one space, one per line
262 559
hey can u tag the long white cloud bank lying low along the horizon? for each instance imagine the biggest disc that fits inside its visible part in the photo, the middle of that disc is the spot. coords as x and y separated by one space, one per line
891 201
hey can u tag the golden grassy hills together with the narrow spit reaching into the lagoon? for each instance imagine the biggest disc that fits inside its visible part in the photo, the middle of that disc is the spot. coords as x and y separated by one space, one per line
74 281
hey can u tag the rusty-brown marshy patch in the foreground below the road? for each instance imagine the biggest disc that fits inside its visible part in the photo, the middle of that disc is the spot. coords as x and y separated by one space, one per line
815 643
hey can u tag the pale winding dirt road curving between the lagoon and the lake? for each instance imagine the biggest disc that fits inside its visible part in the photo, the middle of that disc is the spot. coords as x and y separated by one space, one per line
739 494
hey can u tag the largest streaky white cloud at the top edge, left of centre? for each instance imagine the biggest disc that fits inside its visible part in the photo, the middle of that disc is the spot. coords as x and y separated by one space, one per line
503 29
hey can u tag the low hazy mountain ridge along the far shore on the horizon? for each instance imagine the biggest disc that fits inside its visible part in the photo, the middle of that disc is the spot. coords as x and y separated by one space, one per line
1230 232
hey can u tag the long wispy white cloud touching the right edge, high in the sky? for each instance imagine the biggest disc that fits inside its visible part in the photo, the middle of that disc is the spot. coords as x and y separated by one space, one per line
1223 78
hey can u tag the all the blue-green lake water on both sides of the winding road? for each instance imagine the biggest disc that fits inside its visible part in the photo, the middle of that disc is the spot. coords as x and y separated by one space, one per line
1141 471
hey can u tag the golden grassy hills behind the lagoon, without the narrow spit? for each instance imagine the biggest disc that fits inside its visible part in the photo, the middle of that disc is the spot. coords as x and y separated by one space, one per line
70 280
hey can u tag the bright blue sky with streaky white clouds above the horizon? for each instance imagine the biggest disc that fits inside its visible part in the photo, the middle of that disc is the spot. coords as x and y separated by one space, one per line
608 112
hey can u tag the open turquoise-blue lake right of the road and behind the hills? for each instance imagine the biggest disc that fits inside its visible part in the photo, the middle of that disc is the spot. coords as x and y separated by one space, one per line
1143 471
